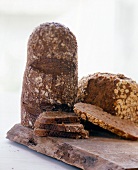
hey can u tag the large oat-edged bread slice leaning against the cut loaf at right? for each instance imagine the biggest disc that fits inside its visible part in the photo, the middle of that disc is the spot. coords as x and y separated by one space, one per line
97 116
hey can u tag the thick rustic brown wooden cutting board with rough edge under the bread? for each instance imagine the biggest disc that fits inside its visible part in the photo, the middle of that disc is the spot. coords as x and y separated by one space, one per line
99 152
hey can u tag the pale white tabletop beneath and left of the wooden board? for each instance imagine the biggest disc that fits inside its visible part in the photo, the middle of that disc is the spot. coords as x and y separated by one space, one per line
14 156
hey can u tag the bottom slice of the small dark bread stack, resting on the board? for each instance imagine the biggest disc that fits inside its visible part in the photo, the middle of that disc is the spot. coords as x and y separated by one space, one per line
44 133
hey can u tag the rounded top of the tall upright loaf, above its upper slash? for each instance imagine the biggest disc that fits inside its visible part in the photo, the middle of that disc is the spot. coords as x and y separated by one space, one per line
52 40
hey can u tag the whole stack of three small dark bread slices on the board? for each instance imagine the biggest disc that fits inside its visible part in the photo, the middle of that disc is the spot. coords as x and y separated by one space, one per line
59 124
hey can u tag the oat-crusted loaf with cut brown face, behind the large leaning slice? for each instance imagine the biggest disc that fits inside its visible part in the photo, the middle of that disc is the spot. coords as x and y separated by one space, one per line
114 93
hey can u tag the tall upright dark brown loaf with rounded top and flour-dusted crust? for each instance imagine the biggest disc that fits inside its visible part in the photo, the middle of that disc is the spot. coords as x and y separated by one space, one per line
51 75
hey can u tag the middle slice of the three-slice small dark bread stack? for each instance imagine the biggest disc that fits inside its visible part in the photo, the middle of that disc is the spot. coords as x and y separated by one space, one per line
69 127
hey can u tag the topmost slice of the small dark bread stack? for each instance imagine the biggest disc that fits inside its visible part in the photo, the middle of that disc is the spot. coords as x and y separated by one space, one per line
57 117
